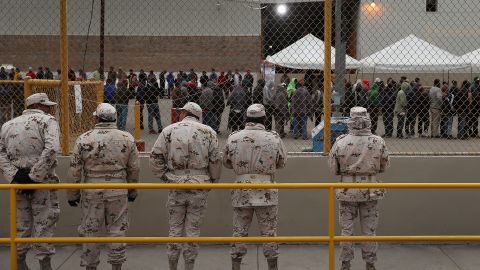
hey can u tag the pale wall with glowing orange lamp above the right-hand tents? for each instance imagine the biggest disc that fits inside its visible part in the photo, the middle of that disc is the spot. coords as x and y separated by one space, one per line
454 27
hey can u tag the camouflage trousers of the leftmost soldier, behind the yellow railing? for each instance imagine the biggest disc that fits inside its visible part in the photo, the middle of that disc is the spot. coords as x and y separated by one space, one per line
37 216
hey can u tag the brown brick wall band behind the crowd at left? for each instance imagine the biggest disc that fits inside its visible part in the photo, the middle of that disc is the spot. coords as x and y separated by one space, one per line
157 53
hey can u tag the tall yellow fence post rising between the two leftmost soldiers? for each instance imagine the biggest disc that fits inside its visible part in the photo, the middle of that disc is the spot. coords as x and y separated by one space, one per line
65 91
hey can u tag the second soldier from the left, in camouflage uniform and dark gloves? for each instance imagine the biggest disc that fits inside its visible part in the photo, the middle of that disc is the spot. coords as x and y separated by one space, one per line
104 155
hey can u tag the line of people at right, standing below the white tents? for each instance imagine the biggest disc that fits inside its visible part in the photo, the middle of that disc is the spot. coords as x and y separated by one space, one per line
420 111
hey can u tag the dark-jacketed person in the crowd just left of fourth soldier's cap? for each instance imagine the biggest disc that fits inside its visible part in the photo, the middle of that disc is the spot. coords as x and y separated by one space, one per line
239 102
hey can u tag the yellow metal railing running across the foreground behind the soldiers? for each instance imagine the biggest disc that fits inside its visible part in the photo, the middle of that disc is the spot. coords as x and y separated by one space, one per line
331 238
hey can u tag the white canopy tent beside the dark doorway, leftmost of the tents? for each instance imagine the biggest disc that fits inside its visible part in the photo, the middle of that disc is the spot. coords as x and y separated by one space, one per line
307 53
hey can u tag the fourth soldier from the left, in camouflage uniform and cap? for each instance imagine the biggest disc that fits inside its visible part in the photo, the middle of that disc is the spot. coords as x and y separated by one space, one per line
255 154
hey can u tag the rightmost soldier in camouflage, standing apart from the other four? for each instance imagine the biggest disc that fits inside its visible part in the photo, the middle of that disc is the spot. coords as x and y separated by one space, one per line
358 157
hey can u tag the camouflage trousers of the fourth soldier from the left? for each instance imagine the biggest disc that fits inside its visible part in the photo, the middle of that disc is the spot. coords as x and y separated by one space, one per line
267 217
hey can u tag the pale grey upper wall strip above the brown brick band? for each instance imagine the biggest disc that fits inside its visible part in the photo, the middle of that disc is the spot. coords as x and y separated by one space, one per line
133 18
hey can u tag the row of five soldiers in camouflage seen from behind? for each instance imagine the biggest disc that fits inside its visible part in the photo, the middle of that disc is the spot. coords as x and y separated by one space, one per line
185 152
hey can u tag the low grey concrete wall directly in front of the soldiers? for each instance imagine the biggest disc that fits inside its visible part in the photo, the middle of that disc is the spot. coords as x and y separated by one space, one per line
304 212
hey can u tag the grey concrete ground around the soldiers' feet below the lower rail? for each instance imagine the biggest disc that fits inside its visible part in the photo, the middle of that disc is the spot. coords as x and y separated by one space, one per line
292 257
